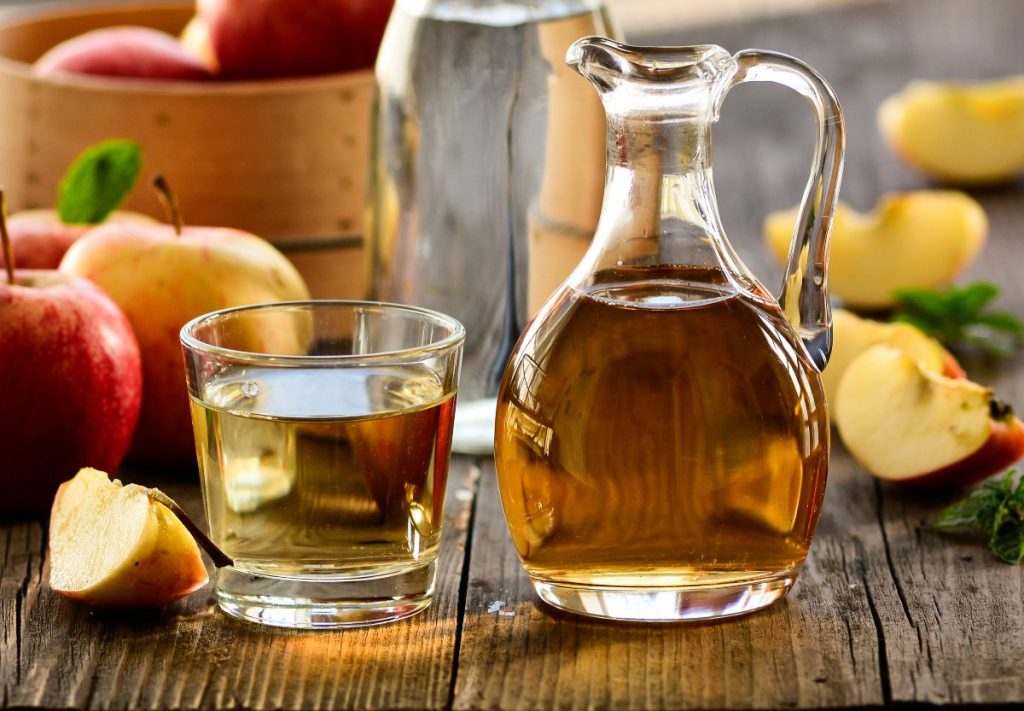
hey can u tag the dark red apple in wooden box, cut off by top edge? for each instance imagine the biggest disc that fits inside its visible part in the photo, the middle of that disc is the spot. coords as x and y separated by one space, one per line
253 39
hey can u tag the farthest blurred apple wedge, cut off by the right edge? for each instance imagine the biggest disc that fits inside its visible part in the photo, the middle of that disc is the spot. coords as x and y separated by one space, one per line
959 134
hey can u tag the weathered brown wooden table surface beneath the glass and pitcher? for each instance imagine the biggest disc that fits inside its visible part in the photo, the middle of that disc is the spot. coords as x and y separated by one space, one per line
885 612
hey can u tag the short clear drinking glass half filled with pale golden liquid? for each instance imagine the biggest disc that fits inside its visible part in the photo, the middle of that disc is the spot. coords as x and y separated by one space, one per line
323 433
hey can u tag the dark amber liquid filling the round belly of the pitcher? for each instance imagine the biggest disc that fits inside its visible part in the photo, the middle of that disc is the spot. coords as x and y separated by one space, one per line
664 431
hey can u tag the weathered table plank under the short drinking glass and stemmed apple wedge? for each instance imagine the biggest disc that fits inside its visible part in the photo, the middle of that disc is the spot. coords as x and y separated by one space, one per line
57 654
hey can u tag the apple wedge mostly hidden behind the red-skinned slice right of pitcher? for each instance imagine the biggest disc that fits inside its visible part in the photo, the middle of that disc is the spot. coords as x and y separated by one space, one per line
854 336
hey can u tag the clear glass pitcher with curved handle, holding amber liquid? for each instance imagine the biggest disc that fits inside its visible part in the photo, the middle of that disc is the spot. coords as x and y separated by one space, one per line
662 440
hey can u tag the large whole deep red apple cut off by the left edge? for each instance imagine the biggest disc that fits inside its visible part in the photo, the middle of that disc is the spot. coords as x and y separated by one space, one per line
71 385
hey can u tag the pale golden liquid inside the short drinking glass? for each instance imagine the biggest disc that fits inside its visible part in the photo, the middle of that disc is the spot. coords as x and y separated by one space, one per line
304 491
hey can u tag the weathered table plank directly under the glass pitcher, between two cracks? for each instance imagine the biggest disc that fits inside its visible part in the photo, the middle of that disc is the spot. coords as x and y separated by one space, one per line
819 649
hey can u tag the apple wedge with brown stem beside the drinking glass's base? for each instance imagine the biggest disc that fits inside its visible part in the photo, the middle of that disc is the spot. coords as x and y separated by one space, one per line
122 547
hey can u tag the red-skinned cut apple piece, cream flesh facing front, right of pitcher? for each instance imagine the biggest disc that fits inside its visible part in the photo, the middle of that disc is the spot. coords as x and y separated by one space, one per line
910 426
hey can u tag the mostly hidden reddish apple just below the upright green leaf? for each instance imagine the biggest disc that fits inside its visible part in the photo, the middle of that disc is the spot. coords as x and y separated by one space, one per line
40 239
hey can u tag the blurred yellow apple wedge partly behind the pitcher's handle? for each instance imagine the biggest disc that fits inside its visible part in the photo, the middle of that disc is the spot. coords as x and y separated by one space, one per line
921 239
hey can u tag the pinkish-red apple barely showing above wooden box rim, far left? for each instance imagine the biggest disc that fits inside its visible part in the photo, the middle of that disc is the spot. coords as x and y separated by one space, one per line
123 52
